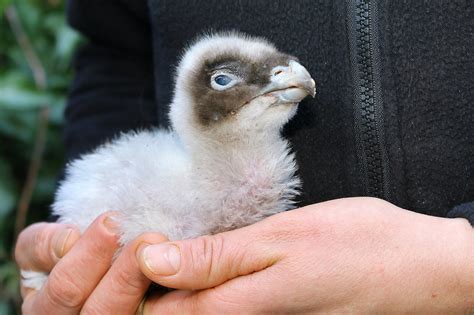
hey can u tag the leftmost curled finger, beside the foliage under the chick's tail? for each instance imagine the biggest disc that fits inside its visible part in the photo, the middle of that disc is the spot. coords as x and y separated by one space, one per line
41 245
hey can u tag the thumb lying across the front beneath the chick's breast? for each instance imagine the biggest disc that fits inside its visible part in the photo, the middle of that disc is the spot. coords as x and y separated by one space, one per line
207 261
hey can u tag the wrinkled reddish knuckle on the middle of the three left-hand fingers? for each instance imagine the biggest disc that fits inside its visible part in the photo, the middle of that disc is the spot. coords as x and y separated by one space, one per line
63 290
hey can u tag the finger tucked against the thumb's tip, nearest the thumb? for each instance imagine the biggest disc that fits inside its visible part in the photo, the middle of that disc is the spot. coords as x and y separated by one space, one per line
123 287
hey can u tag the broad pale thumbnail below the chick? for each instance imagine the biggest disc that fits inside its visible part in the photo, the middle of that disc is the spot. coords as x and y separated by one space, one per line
162 259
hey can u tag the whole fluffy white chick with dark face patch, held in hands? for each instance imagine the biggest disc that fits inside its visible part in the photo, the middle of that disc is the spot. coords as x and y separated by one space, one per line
223 165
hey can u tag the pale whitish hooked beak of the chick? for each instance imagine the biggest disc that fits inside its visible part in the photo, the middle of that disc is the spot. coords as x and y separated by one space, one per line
291 84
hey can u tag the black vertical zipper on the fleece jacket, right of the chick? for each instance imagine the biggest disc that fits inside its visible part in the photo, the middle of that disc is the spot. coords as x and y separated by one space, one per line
368 106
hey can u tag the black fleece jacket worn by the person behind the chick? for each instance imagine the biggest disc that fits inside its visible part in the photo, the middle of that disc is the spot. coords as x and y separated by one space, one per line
393 117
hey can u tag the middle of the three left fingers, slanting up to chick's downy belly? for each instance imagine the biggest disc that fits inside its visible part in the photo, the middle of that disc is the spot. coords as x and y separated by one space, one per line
77 274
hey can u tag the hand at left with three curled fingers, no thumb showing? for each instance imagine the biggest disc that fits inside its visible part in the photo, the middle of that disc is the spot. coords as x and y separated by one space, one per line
83 280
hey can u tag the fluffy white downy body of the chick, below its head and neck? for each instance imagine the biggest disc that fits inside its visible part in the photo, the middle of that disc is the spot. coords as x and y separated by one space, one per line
151 179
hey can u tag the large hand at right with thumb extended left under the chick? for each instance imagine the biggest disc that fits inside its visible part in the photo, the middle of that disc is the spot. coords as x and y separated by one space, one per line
349 255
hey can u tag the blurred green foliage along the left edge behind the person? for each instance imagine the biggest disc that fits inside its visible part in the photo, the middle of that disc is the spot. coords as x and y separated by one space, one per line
21 100
